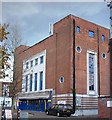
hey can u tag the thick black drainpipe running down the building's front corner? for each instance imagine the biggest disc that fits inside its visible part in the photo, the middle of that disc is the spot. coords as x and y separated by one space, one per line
73 62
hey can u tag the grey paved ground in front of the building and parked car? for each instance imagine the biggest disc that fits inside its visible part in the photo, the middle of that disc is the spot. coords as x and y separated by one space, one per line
41 115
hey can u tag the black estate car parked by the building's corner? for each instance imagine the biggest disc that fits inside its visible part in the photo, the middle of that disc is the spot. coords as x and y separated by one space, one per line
60 110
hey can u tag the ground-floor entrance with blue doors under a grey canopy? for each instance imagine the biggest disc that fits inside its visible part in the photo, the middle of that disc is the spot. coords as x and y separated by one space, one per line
35 101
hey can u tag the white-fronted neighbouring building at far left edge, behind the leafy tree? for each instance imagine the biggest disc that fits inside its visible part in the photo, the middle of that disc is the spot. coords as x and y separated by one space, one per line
5 81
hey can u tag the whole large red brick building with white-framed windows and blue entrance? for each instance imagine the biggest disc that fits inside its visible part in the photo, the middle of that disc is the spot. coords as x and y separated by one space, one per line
76 52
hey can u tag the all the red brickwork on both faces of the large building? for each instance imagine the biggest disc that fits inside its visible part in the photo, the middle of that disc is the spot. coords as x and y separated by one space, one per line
59 55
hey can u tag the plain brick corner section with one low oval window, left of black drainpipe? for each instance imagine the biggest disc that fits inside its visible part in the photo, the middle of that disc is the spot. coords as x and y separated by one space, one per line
62 29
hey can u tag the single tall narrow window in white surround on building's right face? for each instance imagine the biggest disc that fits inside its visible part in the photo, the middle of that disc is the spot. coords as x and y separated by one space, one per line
92 76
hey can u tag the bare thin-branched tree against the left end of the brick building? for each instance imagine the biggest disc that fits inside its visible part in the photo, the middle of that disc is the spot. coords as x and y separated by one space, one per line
14 40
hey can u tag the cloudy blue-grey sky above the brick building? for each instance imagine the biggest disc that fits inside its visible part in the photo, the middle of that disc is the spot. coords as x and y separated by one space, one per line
34 17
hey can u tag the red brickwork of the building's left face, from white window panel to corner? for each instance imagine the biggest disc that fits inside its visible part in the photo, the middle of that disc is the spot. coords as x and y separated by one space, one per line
57 59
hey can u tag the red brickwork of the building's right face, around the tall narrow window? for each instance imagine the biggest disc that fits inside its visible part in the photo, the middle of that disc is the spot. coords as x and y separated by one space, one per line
86 43
